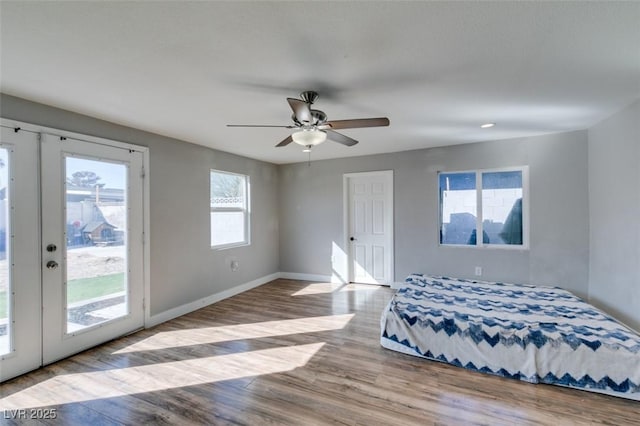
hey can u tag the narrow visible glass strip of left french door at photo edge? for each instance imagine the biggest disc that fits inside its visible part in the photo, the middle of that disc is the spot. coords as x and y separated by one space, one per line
5 255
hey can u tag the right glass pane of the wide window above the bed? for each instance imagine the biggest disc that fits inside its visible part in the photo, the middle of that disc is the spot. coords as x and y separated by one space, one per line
502 207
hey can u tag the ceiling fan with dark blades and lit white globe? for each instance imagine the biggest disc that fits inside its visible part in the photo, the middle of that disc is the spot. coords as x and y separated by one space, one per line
313 126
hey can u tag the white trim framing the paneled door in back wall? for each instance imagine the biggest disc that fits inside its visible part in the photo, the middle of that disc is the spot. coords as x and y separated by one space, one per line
348 264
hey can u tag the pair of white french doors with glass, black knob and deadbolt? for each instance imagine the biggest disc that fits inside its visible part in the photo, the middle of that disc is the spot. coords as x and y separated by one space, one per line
71 245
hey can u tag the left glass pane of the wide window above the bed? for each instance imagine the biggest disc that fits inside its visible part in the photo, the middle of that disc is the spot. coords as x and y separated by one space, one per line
458 208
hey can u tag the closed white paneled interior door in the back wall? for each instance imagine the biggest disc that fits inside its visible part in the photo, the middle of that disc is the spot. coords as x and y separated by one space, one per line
370 227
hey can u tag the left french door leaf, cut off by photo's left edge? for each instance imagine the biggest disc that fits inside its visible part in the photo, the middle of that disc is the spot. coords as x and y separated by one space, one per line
20 320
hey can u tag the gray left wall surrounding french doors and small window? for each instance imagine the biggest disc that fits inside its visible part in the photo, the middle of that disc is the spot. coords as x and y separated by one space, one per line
183 266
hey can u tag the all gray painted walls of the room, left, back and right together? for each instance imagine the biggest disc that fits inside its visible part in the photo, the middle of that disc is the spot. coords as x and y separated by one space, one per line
577 239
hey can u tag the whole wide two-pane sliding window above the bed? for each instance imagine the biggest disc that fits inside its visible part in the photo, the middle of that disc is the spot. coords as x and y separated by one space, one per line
490 203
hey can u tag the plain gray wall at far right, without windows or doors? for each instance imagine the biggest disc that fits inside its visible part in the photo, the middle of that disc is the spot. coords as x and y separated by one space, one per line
614 207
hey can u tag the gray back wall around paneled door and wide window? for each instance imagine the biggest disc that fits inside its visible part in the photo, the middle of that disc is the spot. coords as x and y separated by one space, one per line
311 211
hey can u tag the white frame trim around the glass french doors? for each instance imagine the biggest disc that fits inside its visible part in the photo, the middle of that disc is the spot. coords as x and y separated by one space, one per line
145 189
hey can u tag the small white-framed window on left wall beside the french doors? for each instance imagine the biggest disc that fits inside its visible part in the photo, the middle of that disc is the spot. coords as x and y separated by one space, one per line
229 209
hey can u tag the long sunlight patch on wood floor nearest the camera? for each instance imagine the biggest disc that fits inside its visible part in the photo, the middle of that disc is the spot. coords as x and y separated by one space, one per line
78 387
